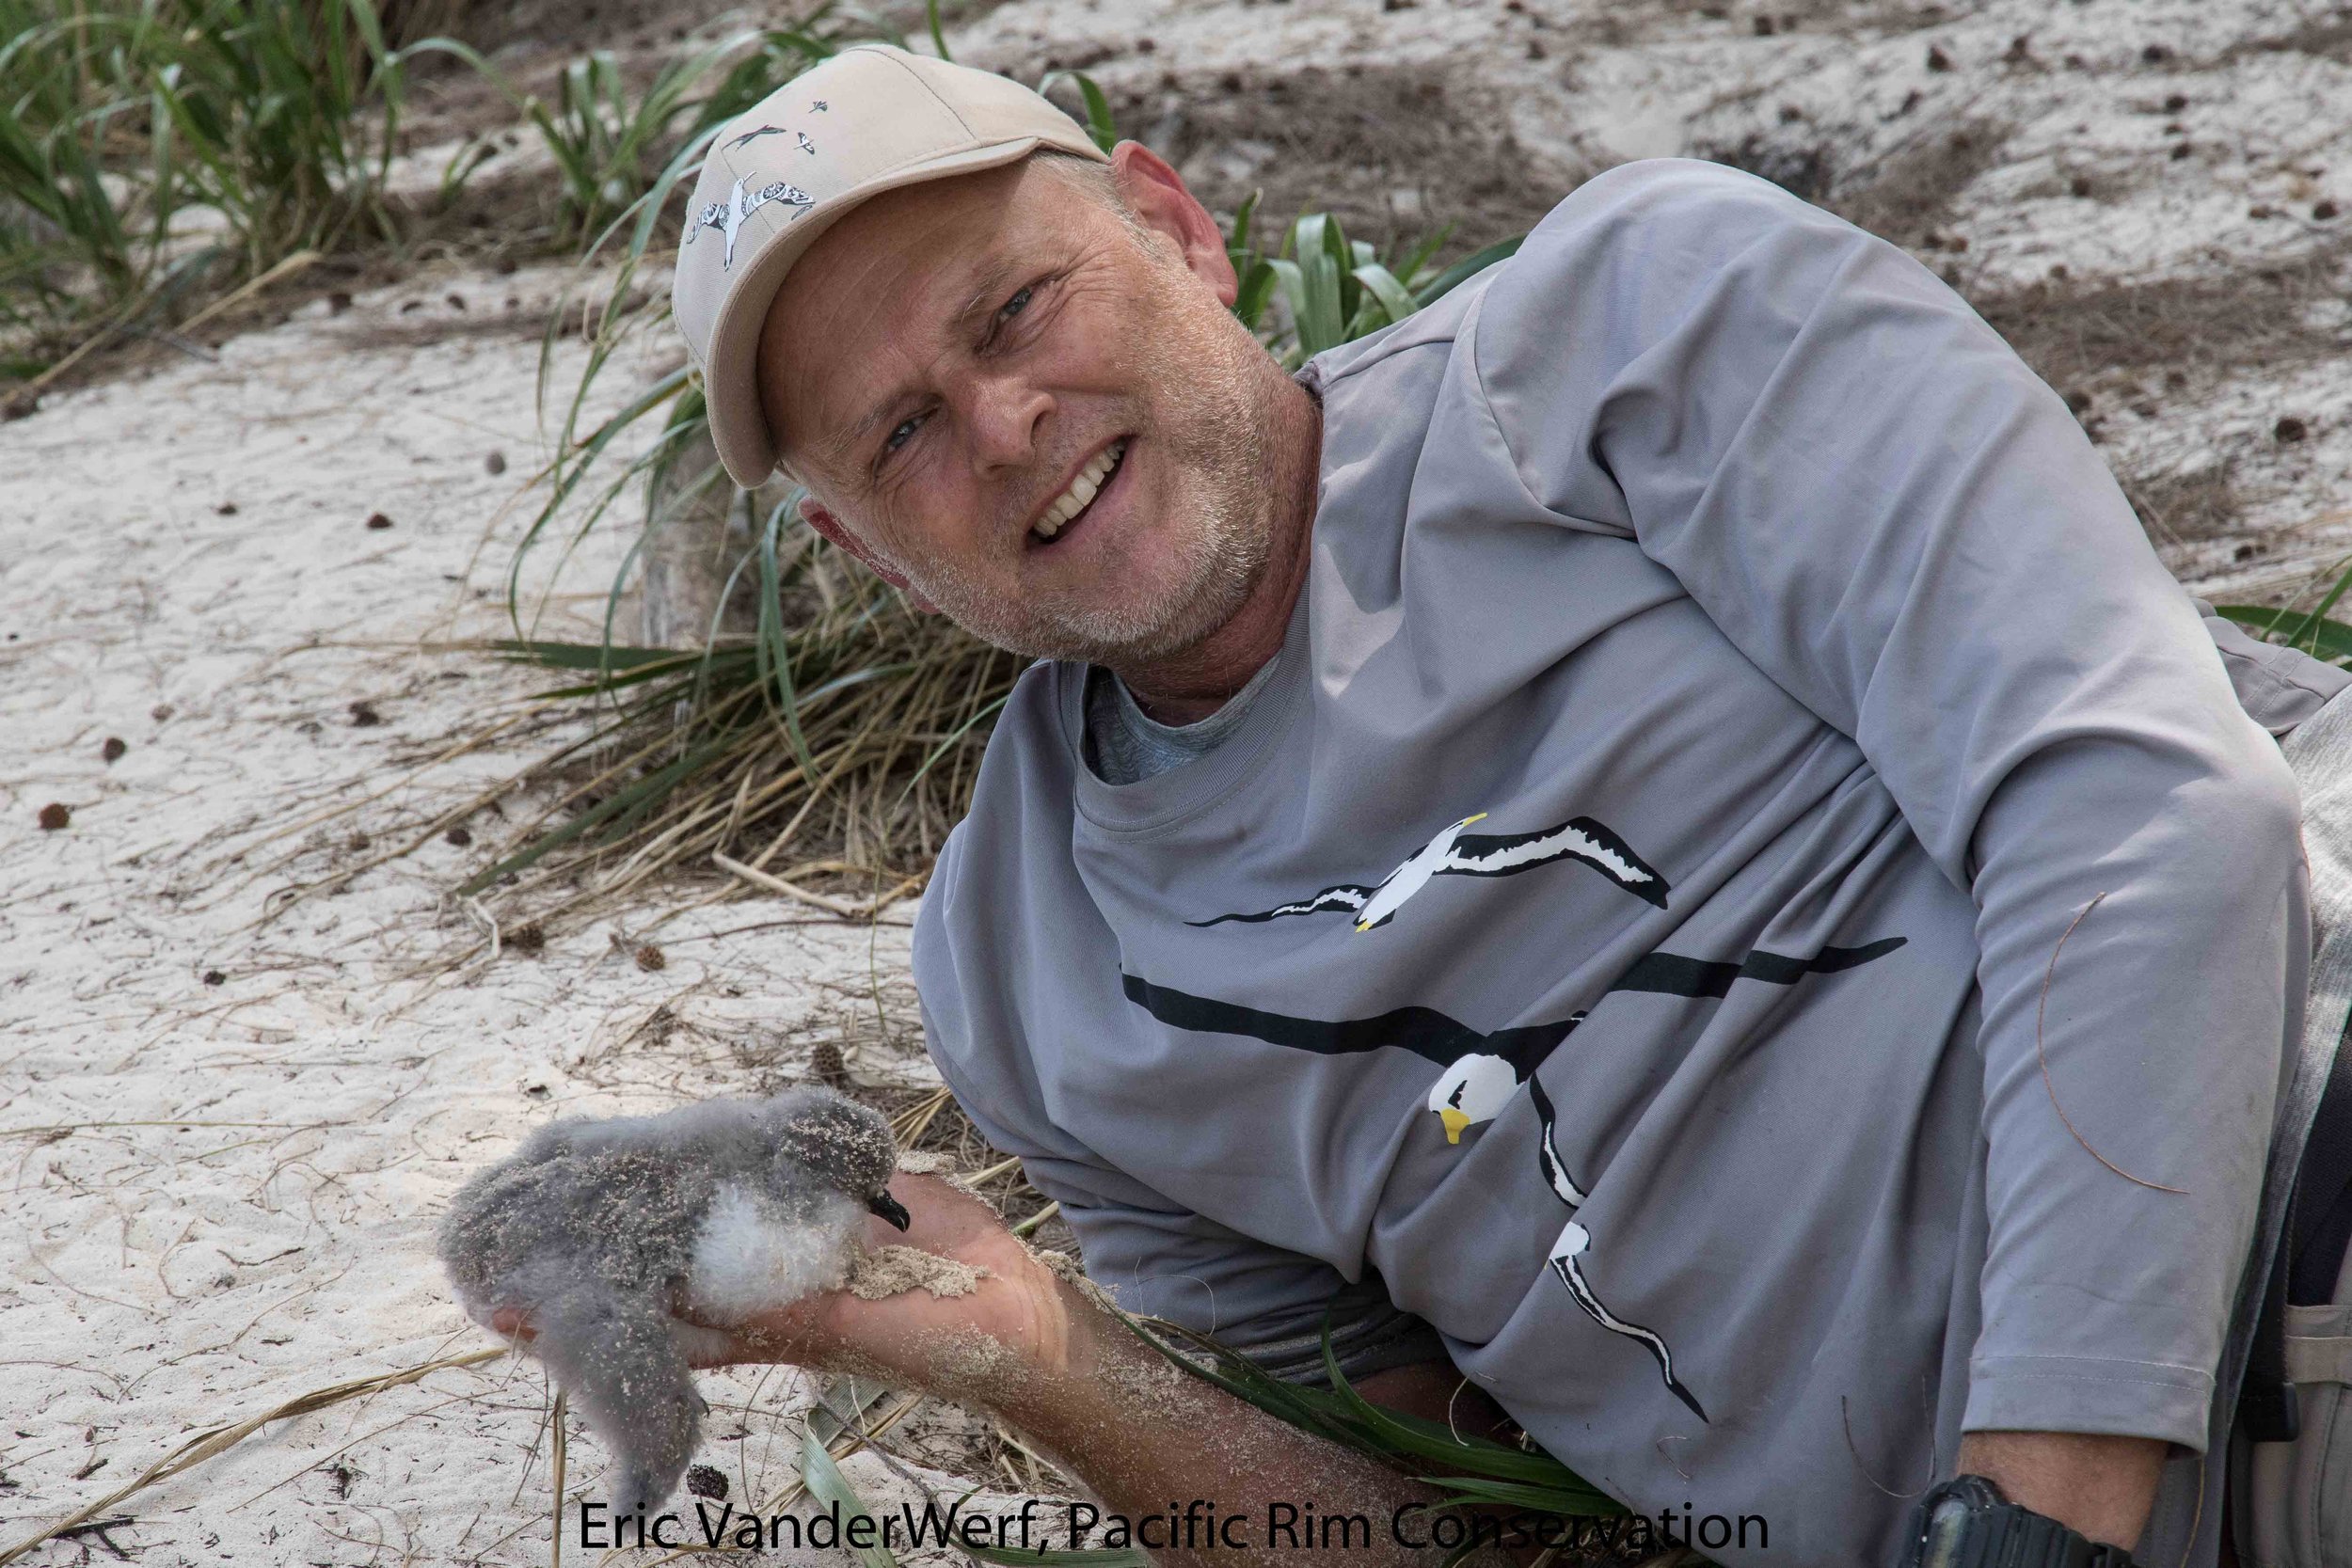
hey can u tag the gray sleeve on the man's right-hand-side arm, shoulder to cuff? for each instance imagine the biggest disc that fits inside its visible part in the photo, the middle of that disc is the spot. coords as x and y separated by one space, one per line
1892 518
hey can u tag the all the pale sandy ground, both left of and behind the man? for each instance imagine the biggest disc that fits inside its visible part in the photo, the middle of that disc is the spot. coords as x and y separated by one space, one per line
227 1123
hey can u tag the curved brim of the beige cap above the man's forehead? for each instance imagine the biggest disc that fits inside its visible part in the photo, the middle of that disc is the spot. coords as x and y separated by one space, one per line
733 370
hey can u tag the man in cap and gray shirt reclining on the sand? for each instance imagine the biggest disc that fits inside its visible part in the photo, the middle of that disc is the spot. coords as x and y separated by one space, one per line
1652 838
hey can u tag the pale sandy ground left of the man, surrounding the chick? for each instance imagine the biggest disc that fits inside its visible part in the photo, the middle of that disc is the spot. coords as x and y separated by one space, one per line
227 1137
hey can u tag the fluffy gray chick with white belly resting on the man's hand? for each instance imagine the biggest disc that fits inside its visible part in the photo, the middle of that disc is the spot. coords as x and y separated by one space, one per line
603 1231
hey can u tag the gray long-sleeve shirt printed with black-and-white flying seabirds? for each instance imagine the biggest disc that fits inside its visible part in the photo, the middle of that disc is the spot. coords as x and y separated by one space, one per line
1629 918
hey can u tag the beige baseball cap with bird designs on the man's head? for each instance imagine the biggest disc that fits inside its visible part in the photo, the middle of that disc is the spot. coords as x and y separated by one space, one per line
867 121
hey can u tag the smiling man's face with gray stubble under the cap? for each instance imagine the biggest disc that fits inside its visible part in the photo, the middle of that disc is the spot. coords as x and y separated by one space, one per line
1036 415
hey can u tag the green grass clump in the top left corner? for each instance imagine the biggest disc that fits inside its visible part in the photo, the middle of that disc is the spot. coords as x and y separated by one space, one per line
156 152
